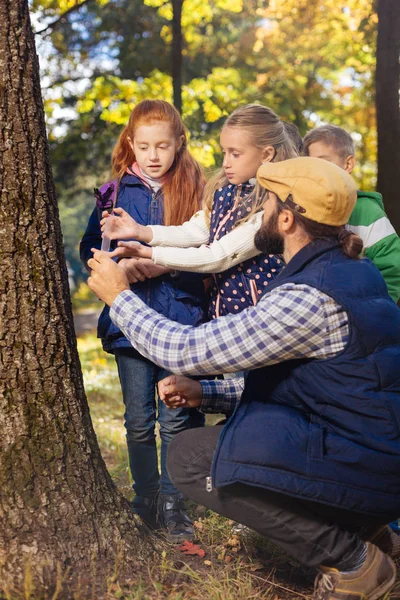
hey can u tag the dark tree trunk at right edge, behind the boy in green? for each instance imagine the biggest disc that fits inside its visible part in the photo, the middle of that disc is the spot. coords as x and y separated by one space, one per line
387 106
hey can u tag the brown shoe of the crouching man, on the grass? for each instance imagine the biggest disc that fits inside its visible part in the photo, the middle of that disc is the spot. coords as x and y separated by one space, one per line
370 582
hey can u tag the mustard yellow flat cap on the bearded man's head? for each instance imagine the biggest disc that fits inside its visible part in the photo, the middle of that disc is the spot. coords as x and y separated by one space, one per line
320 190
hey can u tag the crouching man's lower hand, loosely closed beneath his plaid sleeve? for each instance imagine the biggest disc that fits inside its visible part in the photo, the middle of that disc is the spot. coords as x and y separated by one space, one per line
178 391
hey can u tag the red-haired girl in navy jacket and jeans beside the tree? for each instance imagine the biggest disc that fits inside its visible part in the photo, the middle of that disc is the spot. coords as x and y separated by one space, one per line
157 182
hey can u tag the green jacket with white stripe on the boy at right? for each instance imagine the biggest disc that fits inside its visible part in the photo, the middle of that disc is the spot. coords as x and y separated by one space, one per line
381 242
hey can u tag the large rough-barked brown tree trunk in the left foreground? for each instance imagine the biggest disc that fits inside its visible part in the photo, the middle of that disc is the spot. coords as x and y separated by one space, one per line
58 505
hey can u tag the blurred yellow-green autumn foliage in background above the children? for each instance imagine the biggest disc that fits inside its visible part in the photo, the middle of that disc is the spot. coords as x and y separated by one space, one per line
312 61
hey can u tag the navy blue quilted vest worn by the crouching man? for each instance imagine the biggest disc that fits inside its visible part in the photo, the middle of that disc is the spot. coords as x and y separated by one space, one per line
326 430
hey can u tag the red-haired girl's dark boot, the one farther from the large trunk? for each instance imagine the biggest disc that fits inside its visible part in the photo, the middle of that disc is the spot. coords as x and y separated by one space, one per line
173 519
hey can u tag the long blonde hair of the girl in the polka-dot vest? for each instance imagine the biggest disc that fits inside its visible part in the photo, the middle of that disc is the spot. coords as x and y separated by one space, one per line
264 128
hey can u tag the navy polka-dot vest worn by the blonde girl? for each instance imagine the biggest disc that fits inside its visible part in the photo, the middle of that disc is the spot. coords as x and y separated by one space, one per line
240 286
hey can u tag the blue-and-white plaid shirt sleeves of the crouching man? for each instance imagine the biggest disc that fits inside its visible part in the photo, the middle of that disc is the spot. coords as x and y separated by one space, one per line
292 321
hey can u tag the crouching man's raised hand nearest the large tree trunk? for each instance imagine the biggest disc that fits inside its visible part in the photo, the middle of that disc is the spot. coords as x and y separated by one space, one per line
107 279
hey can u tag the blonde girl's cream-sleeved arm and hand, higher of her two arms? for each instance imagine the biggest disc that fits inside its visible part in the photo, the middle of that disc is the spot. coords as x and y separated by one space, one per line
192 233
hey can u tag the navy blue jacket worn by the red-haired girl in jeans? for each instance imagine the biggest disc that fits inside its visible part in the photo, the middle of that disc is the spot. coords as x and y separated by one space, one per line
179 298
